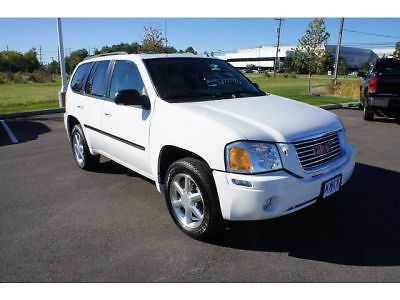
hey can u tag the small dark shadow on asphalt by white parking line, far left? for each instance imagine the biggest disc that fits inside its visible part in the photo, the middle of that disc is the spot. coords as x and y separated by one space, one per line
24 130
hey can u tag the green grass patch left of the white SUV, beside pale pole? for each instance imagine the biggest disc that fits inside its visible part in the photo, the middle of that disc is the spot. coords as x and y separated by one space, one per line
17 97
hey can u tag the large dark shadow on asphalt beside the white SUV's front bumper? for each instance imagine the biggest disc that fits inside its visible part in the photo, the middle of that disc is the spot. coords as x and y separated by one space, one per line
360 225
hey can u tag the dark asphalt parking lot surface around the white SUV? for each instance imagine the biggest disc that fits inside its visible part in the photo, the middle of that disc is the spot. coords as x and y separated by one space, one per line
61 224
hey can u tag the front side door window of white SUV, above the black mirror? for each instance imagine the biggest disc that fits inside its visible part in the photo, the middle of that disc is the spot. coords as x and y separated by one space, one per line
126 76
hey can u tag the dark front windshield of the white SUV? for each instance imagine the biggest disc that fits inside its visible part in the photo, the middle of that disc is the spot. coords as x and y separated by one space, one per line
198 79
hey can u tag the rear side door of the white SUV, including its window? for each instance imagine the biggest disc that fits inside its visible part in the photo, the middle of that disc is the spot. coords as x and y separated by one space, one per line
95 91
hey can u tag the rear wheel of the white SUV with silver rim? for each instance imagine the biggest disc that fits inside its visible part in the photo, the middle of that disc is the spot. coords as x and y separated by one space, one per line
83 158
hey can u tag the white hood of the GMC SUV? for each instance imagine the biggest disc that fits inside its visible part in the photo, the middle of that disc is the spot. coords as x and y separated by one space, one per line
267 118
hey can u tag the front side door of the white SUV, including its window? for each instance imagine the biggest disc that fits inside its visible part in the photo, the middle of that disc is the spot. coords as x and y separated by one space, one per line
126 128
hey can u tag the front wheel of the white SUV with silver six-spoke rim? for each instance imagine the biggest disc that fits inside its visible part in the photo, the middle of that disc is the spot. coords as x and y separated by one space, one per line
192 199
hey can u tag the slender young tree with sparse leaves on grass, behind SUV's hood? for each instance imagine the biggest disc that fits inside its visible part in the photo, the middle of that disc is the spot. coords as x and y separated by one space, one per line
313 43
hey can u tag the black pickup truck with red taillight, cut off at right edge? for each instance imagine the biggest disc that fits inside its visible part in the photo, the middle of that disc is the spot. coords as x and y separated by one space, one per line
380 89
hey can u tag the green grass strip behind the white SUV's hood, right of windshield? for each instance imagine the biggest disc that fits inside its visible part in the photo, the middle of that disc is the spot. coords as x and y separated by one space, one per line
297 88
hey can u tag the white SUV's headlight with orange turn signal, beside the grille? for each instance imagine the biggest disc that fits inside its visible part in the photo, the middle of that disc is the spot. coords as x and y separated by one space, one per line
252 157
